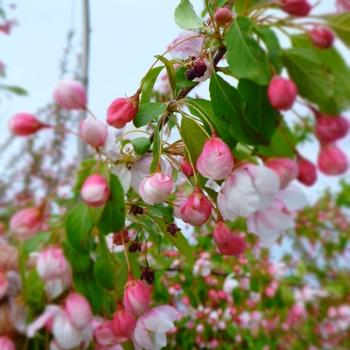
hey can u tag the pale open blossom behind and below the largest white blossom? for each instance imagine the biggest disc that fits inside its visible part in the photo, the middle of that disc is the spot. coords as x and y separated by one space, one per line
268 222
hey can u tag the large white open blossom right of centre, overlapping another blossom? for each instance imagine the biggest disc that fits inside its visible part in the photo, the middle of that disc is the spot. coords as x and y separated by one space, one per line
248 189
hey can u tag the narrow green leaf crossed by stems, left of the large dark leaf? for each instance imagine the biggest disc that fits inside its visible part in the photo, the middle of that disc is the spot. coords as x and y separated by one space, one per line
203 109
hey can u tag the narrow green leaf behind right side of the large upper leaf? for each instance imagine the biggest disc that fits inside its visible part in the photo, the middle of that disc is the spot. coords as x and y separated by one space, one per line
273 47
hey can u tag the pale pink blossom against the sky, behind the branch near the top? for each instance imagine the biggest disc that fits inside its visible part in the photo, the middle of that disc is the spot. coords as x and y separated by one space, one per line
187 44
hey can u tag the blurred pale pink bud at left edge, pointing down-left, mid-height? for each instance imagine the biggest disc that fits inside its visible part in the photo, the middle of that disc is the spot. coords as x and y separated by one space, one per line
27 222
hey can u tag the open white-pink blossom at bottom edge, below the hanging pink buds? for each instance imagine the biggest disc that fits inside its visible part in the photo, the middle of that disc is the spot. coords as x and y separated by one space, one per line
151 328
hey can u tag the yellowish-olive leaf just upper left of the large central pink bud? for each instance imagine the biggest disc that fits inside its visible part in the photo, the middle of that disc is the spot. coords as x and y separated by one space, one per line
193 137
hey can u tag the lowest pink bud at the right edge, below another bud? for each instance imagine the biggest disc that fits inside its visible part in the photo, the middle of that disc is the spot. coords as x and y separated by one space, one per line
332 161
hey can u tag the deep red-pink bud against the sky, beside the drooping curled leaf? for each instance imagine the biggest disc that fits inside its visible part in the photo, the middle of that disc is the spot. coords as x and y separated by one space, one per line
122 111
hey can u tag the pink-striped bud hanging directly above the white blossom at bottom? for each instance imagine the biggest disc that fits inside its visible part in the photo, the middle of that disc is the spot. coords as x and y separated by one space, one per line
137 297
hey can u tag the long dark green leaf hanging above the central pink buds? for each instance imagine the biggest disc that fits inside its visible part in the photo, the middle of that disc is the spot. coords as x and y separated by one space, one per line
228 106
